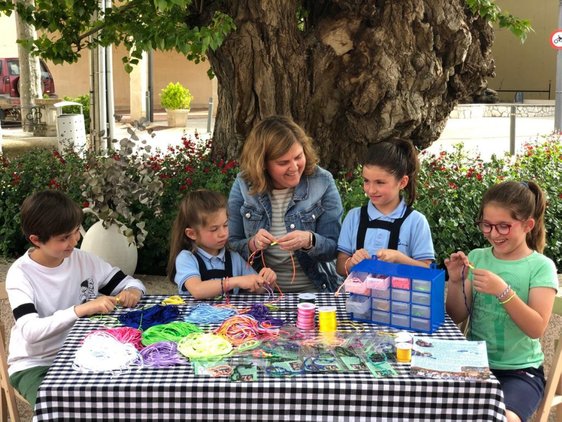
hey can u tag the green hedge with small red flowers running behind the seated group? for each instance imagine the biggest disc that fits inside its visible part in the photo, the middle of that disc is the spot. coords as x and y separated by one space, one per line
450 188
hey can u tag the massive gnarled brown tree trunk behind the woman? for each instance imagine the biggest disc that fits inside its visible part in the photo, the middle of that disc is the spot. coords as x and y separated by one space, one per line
355 71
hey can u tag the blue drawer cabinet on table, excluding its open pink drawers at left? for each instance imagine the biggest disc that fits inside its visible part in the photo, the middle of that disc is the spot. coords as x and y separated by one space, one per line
416 304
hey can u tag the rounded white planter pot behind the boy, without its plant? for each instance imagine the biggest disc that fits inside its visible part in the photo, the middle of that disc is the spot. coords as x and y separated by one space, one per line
112 246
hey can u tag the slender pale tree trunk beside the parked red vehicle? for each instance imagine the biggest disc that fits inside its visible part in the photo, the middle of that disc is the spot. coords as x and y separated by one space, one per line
29 85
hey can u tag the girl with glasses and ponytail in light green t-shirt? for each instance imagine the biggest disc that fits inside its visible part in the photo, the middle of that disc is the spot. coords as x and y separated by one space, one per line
507 291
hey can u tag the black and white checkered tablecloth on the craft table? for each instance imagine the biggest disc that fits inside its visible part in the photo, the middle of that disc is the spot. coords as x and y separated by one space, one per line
175 393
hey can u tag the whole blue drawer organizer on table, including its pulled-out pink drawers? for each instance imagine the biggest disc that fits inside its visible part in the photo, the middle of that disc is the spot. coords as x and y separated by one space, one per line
396 295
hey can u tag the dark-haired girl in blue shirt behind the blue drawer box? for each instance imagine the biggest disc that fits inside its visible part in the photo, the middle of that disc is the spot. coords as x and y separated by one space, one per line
387 227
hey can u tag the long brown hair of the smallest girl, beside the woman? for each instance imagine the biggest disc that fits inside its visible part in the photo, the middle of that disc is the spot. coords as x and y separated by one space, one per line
195 208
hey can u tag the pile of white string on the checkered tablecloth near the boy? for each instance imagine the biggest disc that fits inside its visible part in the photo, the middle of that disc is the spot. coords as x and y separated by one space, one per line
101 352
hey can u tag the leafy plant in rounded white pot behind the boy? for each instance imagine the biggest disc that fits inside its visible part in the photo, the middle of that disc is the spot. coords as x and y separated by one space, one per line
116 188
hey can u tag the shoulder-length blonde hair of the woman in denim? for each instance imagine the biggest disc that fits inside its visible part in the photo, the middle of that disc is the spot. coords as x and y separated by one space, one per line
270 139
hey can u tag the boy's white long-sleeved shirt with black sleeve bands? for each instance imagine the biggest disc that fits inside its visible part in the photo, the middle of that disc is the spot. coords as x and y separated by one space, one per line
43 300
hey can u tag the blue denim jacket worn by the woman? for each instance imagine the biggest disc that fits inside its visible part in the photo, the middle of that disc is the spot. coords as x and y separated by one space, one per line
316 206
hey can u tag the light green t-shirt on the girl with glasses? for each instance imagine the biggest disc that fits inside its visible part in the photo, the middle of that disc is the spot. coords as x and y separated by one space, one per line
508 347
